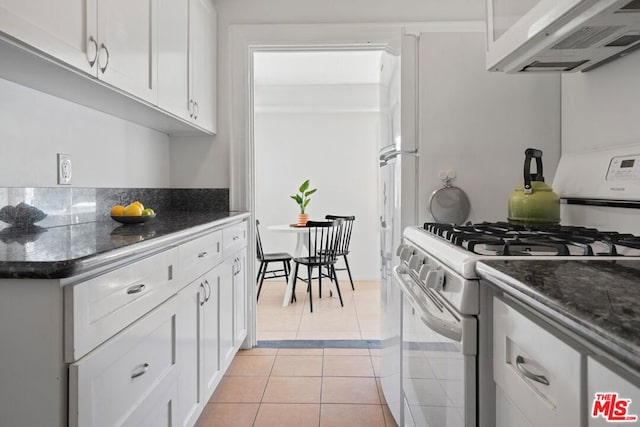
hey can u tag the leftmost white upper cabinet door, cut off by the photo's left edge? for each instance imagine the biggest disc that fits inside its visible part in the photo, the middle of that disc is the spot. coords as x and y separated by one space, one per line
61 29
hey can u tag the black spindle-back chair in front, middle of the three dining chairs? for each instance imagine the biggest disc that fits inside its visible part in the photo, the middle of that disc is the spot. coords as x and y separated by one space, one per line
324 237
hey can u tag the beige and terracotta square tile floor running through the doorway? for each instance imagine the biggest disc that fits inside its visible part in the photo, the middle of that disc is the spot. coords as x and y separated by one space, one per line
297 387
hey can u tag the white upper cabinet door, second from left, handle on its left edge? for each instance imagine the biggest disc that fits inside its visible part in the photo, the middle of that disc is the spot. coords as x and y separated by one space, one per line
127 46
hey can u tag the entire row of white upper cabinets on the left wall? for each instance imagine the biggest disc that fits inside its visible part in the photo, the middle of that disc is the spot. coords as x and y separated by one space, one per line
162 52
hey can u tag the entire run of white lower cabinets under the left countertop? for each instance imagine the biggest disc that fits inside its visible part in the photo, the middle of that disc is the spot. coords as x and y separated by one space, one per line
146 342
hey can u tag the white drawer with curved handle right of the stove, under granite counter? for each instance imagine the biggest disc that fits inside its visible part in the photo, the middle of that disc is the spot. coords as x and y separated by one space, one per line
522 349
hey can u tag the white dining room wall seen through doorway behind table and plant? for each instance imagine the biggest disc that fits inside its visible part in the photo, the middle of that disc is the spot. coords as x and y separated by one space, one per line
332 142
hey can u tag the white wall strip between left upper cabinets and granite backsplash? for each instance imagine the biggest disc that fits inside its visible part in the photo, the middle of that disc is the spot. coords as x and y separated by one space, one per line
105 151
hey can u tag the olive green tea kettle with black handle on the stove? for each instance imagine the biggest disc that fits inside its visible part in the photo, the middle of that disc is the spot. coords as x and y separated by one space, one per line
534 203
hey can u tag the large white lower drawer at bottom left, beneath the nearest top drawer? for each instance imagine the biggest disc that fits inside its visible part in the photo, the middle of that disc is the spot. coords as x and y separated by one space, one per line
107 386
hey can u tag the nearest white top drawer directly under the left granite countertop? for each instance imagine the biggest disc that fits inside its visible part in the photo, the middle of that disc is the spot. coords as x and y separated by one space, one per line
100 307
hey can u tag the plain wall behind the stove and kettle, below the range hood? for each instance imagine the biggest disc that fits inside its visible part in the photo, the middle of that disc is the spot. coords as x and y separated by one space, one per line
480 123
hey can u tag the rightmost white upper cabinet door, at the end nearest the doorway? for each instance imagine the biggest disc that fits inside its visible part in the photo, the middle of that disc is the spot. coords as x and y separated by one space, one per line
202 63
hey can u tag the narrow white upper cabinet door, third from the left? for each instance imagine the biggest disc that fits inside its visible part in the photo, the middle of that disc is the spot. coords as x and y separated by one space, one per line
173 62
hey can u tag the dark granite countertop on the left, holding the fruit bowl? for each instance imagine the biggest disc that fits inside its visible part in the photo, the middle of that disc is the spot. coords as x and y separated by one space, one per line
68 250
